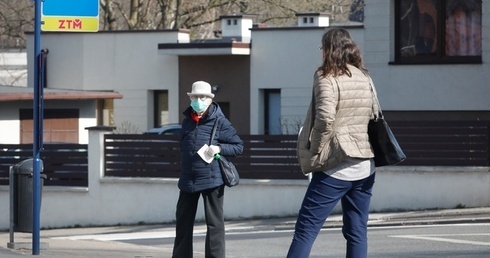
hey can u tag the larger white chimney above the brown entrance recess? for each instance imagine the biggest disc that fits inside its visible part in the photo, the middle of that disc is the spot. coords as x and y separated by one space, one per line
236 28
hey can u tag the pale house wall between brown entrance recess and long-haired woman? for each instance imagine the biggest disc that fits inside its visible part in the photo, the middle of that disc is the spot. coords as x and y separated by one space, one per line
286 59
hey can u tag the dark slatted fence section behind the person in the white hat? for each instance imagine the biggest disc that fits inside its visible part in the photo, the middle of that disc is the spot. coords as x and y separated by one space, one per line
264 156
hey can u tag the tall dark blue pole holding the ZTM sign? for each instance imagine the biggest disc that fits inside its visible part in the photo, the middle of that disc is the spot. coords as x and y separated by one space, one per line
37 132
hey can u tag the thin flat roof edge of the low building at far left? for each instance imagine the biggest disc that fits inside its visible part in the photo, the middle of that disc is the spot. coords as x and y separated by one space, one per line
9 93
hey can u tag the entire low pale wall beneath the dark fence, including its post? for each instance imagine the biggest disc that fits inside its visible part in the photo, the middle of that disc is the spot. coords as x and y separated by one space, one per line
113 200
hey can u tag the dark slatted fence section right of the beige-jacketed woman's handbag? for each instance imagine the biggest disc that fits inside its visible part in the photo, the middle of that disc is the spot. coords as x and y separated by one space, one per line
443 143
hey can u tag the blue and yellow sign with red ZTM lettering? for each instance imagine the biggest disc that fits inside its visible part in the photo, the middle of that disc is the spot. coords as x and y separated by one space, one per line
70 15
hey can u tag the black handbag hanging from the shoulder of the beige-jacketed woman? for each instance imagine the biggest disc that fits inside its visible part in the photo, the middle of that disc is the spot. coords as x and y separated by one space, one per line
386 149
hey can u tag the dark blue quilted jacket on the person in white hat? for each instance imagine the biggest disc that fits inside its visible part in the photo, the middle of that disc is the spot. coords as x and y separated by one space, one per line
197 175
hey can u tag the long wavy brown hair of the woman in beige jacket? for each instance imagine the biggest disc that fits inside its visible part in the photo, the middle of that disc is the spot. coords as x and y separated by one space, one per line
339 50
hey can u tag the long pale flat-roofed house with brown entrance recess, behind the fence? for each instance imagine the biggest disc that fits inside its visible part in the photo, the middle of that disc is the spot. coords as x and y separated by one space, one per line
273 71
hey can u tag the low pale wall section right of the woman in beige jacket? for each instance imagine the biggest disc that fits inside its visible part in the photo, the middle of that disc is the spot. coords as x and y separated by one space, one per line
414 188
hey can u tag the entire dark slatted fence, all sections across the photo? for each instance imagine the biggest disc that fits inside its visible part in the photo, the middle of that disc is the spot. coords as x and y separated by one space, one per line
426 143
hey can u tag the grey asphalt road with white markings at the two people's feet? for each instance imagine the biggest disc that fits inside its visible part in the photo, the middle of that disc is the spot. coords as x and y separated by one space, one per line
430 233
